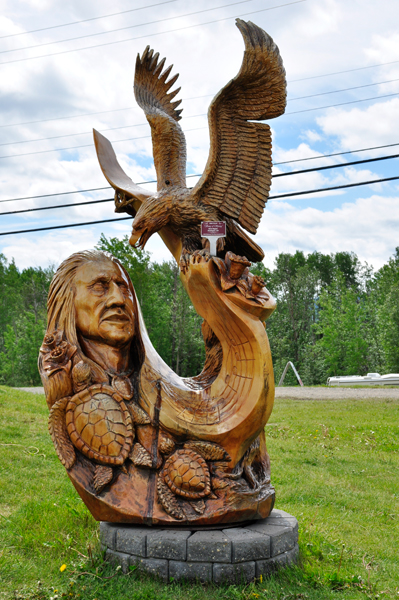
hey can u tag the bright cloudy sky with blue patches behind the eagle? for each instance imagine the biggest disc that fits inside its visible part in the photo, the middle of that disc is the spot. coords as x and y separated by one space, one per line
68 67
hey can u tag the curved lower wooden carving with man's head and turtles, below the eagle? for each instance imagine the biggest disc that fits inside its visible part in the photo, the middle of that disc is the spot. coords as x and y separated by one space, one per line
143 445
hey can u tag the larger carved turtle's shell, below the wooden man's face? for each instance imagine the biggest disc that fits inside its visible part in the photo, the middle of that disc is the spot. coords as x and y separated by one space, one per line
99 425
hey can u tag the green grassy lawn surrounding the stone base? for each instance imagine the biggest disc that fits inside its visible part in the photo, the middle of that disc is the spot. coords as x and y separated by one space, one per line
335 466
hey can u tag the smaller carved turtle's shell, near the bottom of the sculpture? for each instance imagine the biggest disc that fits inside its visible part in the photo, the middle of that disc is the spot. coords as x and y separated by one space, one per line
186 474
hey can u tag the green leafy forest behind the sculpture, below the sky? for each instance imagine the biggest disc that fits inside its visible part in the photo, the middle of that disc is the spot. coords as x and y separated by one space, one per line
334 315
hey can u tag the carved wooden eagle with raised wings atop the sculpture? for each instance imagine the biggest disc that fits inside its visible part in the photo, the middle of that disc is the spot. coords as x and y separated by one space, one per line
235 184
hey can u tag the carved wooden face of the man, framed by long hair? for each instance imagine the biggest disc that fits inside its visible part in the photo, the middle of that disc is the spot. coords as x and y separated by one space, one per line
104 306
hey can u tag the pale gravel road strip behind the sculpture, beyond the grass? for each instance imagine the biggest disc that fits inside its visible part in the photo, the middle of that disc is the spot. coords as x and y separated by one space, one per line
309 393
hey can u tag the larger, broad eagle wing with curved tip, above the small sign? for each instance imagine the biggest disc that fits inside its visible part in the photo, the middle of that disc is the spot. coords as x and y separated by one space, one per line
237 176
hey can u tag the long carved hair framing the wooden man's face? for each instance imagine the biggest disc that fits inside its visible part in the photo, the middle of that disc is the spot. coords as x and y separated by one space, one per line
61 317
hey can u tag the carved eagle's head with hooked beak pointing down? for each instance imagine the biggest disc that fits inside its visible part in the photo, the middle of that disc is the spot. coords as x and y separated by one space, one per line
152 215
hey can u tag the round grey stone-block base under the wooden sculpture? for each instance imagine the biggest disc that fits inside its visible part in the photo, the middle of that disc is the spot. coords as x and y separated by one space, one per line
237 554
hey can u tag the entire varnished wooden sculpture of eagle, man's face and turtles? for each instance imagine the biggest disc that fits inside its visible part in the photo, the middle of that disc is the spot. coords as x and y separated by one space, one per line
141 444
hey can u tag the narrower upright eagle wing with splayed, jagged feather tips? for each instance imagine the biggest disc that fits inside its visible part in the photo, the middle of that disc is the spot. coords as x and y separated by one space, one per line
168 141
